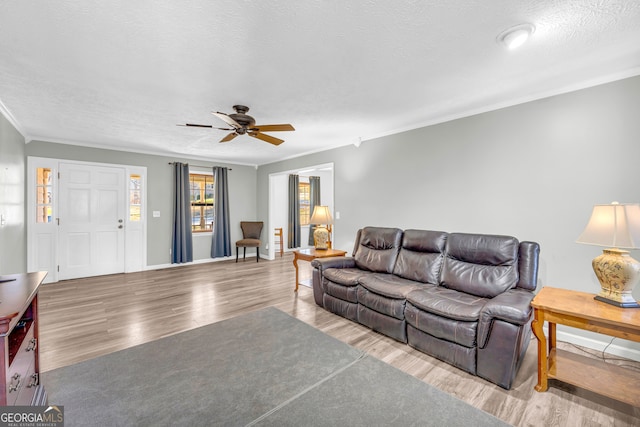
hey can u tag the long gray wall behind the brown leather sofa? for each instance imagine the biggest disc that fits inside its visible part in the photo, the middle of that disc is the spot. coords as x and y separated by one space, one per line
533 171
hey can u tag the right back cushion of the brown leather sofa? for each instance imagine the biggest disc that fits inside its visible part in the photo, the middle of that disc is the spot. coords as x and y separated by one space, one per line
481 265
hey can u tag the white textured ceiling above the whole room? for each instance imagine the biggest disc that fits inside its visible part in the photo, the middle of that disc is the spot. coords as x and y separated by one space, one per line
121 74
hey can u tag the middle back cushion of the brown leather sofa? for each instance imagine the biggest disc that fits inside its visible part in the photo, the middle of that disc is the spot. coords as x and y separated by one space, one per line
421 255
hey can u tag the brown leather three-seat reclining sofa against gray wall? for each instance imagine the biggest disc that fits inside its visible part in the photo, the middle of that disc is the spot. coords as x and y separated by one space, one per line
463 298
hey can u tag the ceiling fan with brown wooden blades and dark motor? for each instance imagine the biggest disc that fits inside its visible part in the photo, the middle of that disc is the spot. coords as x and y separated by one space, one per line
241 123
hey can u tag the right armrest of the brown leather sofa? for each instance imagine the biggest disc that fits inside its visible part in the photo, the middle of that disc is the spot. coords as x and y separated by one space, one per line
512 306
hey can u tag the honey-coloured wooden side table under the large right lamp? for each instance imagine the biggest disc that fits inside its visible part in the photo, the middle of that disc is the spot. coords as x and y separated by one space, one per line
580 310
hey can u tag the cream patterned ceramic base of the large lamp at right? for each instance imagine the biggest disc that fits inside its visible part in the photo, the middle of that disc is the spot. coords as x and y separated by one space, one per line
618 274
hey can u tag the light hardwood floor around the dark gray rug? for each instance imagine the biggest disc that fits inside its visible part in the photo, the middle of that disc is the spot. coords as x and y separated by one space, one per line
86 318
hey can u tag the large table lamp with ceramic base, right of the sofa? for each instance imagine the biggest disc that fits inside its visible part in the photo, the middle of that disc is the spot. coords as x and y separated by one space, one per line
615 226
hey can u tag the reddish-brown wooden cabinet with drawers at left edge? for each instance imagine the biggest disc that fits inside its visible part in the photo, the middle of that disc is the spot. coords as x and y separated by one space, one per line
19 377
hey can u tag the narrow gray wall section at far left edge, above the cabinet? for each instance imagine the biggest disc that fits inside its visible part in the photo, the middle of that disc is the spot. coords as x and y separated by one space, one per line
13 234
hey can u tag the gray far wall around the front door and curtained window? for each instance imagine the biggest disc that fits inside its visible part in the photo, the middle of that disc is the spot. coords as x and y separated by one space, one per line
242 193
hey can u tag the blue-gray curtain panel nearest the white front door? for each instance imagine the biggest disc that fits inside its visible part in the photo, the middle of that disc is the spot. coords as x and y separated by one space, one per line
182 245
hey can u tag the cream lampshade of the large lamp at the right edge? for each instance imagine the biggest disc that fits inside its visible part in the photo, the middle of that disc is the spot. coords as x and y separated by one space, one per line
615 225
